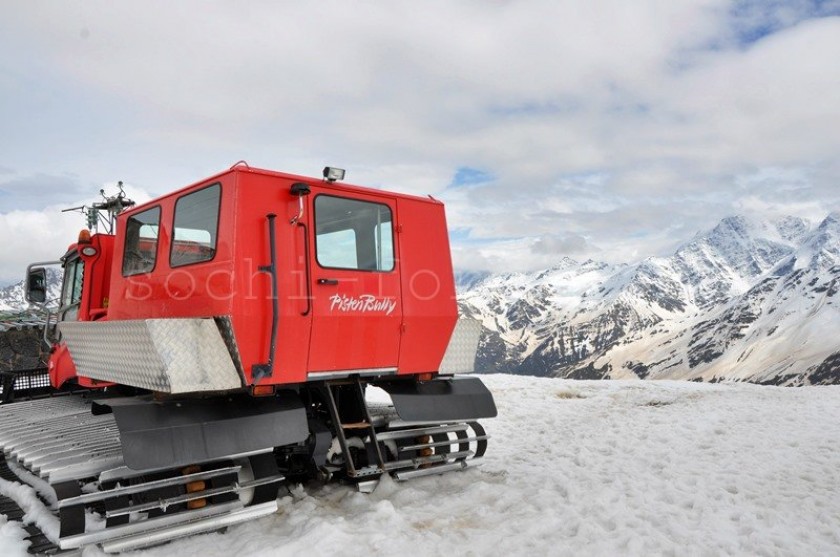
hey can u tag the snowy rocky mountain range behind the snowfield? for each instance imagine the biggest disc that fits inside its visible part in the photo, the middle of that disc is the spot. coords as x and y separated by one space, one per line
748 300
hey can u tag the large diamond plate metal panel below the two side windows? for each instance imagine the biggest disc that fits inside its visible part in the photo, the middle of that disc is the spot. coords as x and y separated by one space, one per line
166 355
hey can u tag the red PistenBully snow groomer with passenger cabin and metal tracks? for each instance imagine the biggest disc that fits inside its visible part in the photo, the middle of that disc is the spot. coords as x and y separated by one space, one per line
225 334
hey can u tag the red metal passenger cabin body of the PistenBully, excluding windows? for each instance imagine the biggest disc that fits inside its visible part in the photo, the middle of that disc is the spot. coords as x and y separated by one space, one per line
398 318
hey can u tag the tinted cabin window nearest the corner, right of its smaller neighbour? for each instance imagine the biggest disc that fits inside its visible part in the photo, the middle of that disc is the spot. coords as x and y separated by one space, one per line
196 226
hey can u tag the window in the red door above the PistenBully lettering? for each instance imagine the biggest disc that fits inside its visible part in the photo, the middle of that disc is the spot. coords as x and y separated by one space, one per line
352 234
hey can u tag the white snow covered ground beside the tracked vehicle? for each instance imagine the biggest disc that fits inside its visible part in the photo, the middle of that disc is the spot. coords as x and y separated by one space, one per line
586 468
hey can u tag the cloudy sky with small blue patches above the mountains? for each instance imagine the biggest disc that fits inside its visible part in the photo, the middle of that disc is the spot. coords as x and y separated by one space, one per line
600 129
